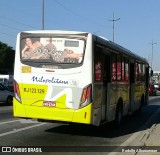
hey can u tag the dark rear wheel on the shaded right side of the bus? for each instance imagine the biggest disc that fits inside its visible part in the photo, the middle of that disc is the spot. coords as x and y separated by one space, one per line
119 115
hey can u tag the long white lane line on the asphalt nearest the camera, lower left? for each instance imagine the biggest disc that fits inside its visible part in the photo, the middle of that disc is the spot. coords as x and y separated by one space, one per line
22 129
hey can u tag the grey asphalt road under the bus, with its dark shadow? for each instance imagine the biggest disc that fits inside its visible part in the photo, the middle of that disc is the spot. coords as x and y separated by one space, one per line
21 132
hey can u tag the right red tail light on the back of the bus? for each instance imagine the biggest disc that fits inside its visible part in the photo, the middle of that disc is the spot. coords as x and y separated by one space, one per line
86 95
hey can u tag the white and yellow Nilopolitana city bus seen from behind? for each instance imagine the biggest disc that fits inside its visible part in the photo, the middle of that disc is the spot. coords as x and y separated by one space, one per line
76 77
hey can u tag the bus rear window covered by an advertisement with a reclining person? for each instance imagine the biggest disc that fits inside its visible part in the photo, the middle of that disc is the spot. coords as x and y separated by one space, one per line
56 50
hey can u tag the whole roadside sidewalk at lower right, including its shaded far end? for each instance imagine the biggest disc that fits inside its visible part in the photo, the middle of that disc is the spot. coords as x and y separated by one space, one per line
145 141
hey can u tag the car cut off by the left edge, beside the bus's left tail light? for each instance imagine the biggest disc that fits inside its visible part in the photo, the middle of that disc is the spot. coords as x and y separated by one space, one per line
6 95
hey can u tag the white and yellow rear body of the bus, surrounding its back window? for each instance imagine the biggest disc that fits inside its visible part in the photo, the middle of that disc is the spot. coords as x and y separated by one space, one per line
54 94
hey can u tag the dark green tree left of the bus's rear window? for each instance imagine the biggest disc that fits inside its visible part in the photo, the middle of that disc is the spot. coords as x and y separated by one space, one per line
7 55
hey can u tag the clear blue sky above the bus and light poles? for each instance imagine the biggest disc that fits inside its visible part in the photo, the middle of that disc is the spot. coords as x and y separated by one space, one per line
136 30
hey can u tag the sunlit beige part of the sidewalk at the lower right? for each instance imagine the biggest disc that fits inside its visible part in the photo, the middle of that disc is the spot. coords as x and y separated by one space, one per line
147 142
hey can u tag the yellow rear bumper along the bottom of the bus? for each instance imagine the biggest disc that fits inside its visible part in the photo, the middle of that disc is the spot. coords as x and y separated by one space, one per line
82 115
